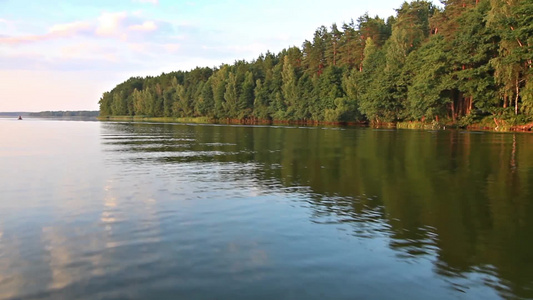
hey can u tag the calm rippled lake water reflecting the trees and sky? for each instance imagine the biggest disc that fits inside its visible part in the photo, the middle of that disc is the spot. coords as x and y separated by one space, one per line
92 210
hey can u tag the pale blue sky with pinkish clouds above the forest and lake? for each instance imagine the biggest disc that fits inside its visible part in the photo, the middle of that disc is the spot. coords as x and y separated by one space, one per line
64 54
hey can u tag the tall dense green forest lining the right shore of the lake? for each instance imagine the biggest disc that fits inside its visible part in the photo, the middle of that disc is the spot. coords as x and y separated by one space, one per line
470 59
